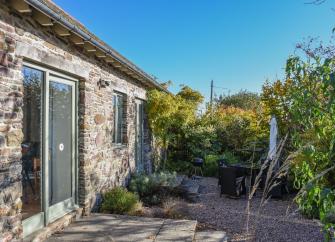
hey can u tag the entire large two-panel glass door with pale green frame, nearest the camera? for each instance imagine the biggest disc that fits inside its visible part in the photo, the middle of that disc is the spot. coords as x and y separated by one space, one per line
49 147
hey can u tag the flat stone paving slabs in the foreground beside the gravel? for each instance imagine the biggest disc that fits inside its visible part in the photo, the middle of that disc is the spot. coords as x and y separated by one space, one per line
102 227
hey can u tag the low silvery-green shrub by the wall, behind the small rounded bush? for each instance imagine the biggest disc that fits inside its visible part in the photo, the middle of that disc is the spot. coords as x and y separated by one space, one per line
152 188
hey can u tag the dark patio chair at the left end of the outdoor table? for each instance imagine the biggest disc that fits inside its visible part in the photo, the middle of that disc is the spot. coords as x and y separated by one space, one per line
232 182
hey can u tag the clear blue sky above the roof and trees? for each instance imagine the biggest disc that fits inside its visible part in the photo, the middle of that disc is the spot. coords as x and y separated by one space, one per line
237 43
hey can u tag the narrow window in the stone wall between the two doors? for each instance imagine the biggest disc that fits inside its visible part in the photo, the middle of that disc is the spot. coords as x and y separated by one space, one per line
119 118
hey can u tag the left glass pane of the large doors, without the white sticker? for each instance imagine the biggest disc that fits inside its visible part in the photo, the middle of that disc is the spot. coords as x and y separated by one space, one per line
31 155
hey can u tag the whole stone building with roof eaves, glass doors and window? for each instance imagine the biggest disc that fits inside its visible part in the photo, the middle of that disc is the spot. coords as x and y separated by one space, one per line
72 119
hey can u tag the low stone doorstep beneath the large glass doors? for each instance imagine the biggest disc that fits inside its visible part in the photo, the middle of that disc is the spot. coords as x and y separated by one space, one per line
54 227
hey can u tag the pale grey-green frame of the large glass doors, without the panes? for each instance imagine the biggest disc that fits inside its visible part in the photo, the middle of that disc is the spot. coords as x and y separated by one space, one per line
49 214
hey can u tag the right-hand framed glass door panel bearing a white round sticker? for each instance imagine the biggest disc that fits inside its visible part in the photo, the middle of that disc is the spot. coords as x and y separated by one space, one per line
61 147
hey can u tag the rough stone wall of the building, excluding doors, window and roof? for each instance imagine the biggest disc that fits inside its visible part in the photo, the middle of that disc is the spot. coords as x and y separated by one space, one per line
102 165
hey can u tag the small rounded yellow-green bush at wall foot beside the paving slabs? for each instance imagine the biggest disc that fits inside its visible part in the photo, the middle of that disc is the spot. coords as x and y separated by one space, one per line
119 201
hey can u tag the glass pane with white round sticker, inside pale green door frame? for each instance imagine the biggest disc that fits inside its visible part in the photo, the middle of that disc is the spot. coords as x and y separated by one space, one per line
60 142
